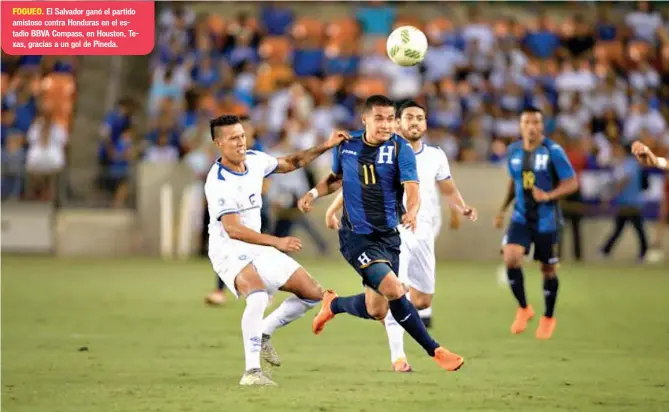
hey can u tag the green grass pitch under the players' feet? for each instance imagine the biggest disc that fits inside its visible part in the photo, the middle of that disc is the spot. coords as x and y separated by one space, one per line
134 336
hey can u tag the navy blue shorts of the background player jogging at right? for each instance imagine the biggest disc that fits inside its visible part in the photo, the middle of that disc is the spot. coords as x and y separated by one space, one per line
545 243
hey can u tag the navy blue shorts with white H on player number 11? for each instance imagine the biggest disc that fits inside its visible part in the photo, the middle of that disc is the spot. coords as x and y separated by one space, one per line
364 252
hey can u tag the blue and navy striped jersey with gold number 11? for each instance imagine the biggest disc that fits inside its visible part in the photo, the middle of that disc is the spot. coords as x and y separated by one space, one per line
372 181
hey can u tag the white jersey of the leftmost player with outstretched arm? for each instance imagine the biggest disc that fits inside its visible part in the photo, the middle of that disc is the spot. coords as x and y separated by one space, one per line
233 192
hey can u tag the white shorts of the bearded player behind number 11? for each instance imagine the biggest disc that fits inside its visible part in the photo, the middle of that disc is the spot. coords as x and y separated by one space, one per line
417 260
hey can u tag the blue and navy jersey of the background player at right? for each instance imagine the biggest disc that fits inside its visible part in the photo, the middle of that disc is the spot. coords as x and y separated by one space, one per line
544 168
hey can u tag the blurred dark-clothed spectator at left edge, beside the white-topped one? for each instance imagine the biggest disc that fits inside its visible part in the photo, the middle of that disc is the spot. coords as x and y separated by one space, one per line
13 165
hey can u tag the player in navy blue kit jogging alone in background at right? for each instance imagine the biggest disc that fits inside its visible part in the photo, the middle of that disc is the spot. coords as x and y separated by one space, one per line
540 174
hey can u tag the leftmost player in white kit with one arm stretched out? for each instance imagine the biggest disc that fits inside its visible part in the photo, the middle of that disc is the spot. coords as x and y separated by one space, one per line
250 263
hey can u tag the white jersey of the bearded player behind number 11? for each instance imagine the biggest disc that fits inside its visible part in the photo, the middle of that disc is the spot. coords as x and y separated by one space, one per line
432 166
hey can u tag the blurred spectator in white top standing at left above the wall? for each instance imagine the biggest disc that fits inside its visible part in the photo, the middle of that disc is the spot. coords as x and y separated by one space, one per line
45 157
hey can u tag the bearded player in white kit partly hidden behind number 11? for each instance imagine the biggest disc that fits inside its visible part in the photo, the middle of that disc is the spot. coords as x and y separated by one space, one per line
417 258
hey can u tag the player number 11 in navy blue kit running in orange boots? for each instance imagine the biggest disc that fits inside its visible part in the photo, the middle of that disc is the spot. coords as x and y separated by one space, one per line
376 167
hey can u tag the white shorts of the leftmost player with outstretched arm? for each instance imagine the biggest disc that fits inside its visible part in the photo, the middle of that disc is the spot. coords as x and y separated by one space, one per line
273 266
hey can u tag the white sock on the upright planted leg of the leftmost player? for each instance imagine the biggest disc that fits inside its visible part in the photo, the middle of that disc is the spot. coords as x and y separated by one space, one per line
256 303
